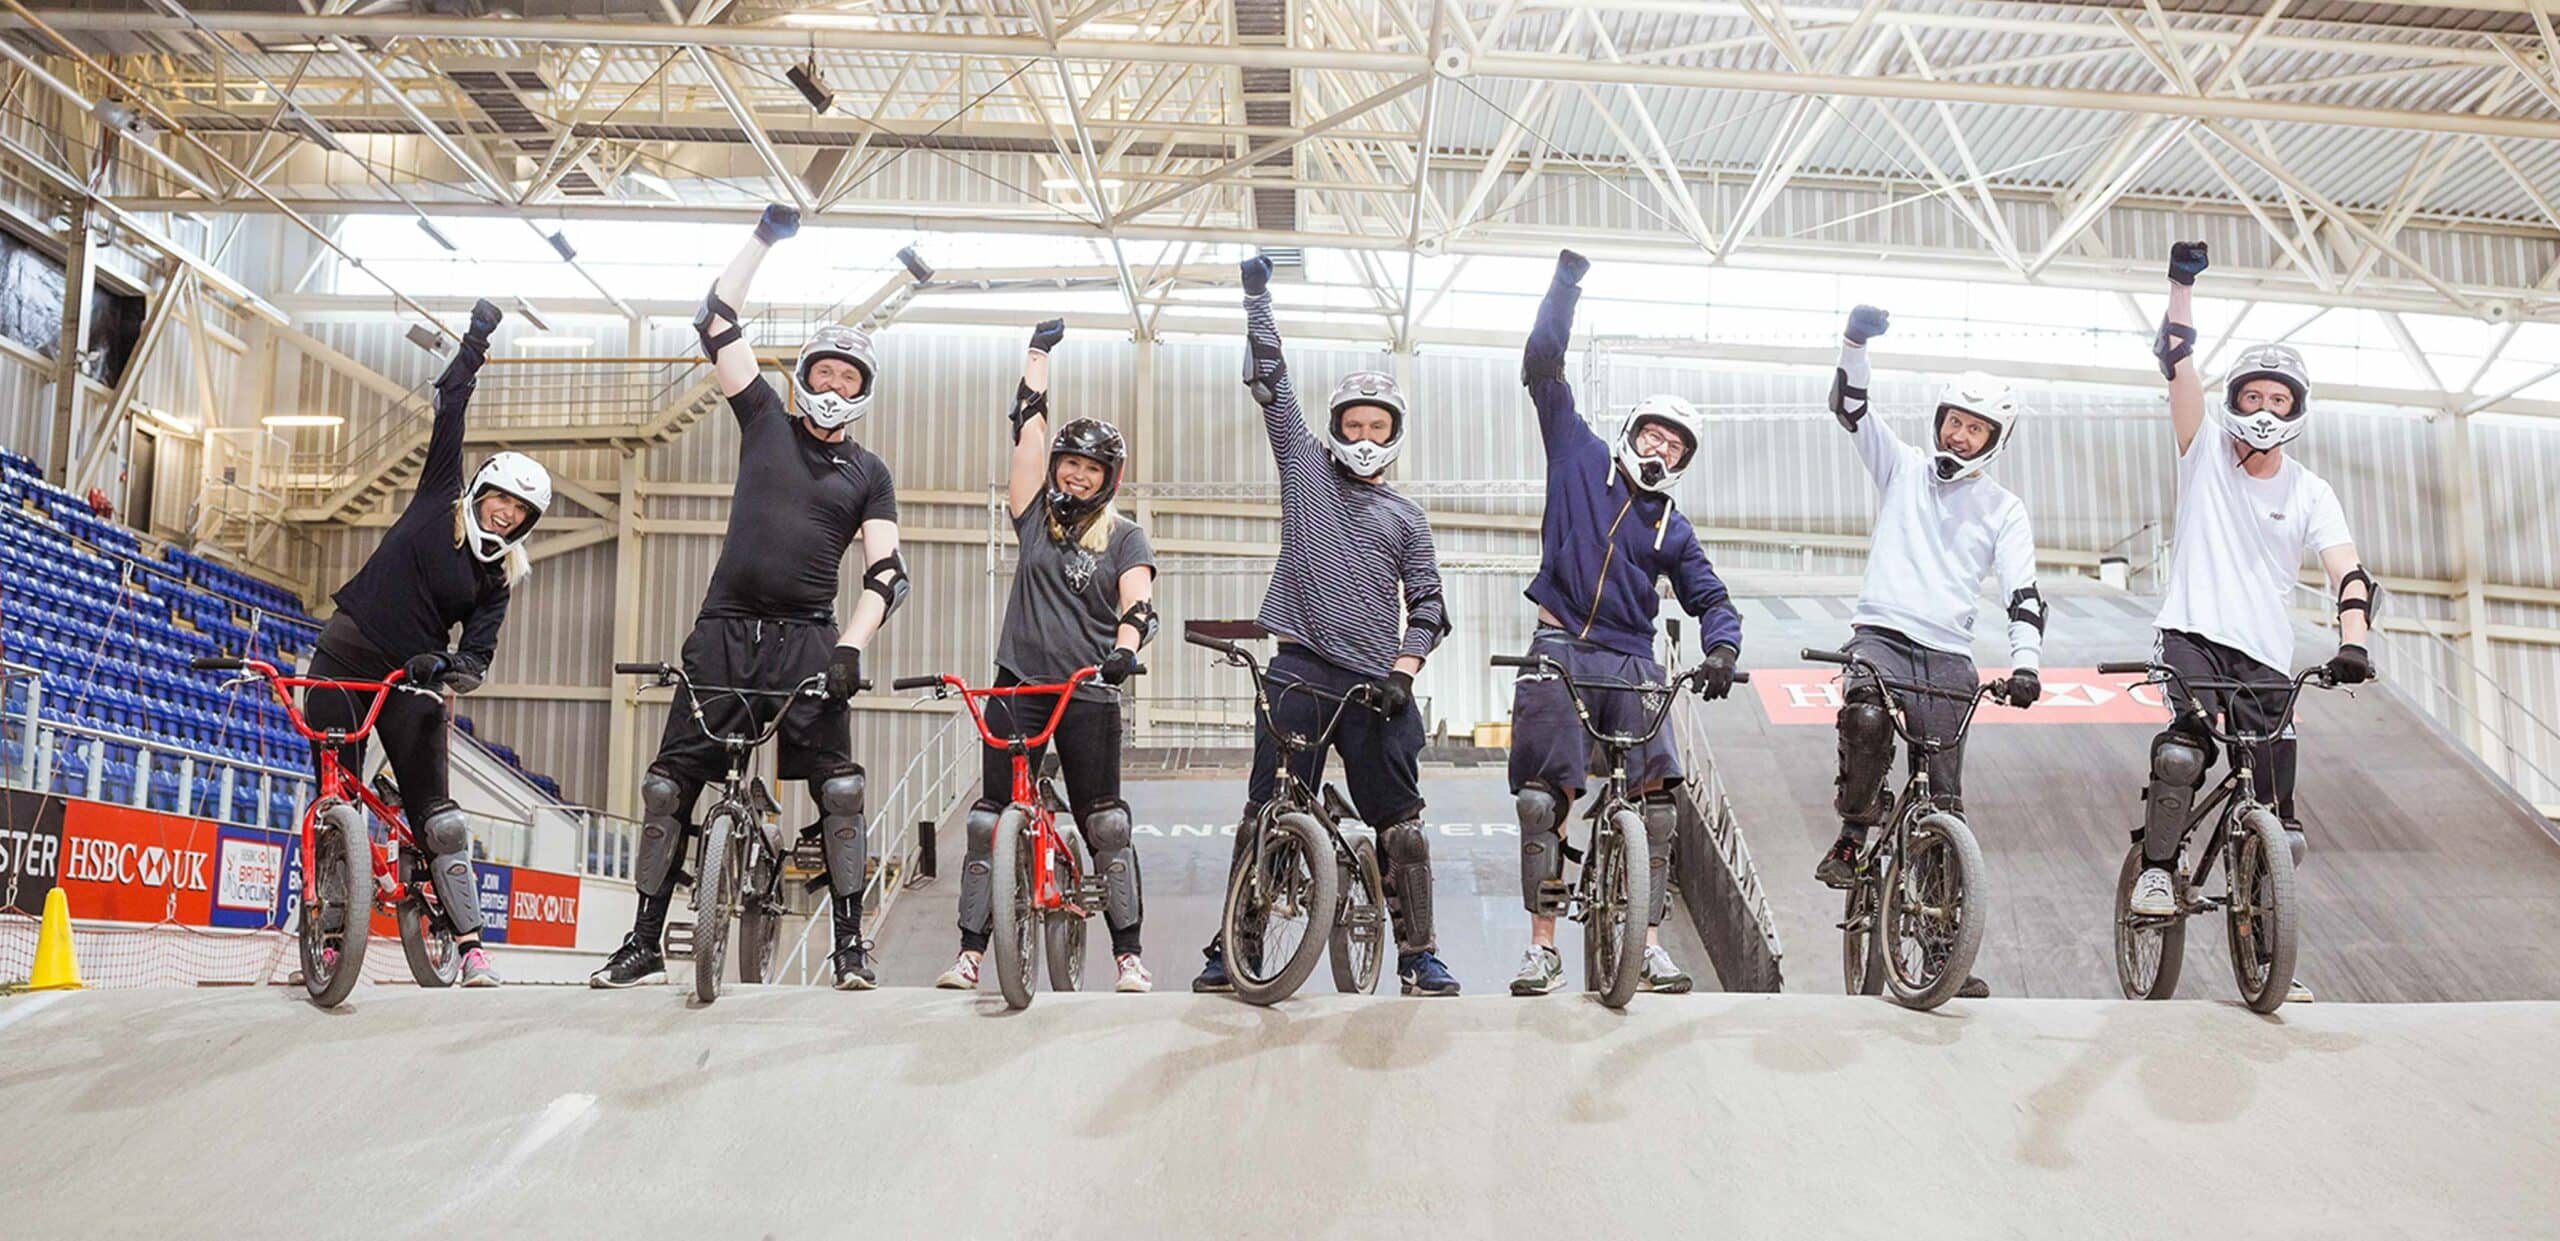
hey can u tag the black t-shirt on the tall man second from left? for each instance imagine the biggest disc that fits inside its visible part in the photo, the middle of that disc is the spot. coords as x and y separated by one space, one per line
797 508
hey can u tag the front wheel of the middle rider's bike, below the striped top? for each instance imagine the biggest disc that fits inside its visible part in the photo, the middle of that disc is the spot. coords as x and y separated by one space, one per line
1281 910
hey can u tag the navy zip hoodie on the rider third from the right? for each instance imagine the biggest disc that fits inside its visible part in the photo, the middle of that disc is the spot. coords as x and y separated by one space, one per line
1604 544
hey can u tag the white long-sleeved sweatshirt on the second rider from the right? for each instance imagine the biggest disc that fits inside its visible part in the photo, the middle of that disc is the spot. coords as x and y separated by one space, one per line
1934 541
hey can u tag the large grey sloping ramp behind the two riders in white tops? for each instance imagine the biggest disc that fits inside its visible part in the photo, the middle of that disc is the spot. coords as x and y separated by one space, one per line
2428 879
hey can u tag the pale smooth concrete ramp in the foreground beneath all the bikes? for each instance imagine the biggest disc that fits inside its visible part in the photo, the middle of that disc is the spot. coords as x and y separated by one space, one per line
795 1112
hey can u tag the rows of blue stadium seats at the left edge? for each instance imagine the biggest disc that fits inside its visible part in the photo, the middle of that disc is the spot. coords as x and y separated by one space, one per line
109 631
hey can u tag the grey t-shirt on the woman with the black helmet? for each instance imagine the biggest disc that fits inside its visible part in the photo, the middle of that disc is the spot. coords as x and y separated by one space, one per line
1066 600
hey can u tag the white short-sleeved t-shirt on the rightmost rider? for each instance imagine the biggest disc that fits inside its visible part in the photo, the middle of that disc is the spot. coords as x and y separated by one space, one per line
2241 544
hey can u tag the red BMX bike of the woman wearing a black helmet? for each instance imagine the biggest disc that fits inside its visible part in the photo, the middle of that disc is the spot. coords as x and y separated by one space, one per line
1043 874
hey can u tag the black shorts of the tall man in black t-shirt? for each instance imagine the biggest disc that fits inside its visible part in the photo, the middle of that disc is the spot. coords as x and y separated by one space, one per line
756 654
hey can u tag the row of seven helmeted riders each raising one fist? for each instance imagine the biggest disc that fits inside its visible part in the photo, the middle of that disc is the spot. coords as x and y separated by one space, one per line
1353 603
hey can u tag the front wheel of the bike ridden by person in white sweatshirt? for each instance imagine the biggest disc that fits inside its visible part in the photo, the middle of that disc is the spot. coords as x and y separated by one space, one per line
1932 917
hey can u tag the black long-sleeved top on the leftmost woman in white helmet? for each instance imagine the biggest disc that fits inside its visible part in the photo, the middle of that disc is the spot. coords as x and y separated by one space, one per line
421 582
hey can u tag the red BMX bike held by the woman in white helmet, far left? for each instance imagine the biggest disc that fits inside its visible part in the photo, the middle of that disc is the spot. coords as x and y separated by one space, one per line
344 871
